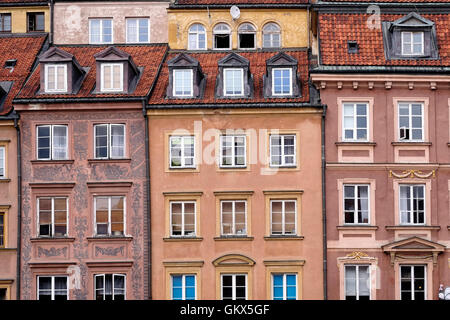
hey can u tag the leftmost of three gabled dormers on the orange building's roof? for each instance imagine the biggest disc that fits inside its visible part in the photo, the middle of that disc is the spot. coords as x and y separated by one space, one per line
186 79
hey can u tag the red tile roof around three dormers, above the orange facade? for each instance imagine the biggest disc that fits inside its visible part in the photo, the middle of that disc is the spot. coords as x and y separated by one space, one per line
208 62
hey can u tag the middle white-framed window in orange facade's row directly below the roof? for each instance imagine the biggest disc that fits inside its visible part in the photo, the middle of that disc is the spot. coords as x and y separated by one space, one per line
232 151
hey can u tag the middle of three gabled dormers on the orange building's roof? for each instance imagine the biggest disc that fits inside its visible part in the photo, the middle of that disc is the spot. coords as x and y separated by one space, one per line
234 79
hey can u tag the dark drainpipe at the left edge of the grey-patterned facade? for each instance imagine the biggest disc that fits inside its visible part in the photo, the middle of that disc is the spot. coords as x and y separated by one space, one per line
19 208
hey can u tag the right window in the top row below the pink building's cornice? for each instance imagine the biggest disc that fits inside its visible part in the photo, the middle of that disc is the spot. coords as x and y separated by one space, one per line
410 121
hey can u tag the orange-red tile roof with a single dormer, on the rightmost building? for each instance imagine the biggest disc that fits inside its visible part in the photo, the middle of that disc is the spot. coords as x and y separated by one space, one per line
337 29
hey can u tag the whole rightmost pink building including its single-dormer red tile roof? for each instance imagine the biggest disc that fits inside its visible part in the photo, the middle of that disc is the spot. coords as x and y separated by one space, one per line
384 78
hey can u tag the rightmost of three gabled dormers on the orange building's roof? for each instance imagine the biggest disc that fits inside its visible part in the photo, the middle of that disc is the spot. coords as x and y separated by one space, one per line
281 78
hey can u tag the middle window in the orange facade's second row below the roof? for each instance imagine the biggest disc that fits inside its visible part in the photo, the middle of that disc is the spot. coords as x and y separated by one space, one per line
234 217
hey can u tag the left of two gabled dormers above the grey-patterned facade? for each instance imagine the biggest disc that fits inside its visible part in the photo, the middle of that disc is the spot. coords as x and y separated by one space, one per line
60 72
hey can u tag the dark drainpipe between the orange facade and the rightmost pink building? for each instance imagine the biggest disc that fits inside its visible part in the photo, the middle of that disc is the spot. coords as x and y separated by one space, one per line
324 210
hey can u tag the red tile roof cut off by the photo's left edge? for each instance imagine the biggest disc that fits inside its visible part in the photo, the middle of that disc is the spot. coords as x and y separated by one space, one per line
24 49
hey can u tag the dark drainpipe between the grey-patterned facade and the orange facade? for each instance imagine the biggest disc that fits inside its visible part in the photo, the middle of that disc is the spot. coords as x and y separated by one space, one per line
147 172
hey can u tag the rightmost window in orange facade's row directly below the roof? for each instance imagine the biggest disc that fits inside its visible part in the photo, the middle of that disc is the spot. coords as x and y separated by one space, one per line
283 150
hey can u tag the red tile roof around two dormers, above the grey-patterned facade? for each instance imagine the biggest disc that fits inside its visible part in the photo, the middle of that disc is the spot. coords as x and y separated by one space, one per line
147 56
